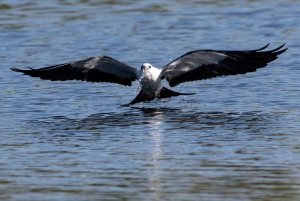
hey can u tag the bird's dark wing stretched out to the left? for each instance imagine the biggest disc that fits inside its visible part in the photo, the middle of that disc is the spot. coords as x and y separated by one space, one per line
93 69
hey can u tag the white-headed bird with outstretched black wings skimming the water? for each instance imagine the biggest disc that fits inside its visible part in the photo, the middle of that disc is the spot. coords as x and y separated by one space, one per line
191 66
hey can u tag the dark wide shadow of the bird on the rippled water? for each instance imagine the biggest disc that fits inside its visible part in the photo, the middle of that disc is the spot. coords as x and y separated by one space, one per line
144 116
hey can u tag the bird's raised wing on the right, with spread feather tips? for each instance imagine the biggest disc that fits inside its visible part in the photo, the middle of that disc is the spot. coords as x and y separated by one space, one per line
204 64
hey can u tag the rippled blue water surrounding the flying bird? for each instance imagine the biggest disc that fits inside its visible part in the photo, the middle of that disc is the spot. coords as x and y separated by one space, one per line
238 138
